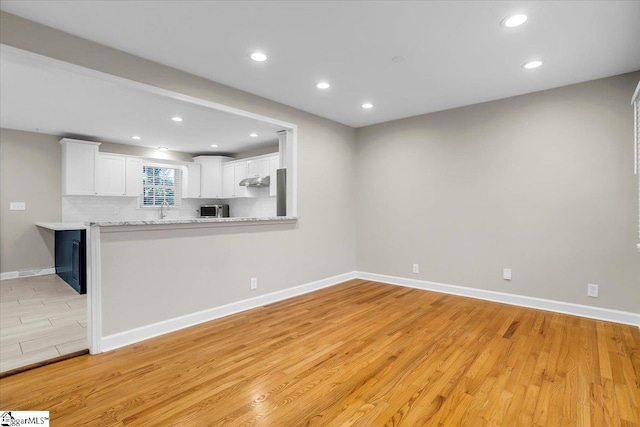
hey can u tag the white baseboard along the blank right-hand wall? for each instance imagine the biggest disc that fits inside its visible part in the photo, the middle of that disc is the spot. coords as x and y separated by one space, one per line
598 313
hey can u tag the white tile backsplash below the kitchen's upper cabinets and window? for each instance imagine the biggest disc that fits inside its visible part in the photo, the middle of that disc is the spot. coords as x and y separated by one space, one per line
102 208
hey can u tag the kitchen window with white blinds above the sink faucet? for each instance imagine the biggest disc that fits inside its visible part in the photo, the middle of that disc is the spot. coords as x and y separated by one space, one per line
160 184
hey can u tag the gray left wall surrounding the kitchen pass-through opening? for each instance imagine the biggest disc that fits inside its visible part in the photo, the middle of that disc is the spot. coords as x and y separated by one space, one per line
157 275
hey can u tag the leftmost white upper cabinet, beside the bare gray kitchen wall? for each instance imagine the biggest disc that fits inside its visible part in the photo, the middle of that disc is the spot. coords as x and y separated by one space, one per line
79 167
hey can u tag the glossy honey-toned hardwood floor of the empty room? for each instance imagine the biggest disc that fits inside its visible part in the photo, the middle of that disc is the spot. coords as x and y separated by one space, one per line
360 353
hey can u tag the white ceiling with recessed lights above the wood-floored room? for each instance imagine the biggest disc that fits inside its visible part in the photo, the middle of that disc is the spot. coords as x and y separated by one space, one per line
455 52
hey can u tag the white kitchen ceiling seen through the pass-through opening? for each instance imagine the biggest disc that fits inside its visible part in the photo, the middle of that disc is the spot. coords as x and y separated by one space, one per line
42 95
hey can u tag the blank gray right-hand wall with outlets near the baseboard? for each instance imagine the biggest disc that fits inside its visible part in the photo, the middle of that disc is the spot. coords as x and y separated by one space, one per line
540 183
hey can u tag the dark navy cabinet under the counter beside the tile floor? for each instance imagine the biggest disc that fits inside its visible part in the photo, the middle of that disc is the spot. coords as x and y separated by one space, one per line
71 258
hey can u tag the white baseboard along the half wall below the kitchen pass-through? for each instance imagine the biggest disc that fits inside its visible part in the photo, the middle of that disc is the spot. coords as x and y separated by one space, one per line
132 336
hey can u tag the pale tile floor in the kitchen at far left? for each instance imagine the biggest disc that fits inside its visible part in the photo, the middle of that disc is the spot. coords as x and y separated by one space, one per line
41 318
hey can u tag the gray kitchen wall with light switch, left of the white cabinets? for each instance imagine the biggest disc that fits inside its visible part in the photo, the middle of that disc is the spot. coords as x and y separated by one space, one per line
30 172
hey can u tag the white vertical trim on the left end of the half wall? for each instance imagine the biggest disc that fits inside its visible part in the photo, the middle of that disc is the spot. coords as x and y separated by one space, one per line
94 291
